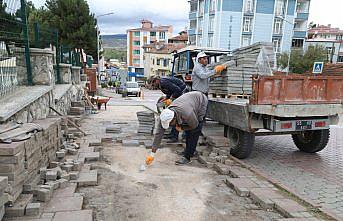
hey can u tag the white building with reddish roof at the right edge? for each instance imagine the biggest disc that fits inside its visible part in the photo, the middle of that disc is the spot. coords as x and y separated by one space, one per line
330 38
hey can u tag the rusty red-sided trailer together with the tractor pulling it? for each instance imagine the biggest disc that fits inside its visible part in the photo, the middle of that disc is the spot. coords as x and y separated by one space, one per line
301 105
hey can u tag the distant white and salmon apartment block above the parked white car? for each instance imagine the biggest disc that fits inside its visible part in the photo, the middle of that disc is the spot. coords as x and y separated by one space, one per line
138 37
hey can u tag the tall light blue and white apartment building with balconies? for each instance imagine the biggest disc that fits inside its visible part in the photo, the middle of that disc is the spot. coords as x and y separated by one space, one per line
231 24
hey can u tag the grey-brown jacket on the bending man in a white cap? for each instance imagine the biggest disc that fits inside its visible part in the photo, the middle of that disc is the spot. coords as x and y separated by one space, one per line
189 109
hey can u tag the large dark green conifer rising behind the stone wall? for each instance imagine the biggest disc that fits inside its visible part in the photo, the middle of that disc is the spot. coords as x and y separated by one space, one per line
75 24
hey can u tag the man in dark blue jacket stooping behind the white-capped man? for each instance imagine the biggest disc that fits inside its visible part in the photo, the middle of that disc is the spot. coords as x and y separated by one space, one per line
172 88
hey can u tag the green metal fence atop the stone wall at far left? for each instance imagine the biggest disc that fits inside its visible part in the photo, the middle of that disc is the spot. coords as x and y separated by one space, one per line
13 36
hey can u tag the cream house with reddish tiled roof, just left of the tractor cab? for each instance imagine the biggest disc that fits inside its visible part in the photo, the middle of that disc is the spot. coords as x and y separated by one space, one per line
158 58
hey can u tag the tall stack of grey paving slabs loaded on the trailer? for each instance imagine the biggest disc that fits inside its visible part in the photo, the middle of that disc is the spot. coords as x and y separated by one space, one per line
258 58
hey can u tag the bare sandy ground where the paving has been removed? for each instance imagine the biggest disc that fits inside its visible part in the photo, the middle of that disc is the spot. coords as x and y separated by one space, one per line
162 192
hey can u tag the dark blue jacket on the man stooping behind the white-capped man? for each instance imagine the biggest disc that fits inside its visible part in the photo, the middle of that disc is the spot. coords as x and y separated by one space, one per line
172 87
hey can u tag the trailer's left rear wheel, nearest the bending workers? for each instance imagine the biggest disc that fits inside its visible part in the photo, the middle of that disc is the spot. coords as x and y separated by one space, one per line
241 143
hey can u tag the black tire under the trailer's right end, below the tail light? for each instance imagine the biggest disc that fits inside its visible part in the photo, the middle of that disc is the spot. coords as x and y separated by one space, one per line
311 141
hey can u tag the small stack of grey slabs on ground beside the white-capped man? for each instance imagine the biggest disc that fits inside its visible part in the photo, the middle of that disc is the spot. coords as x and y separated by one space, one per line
146 121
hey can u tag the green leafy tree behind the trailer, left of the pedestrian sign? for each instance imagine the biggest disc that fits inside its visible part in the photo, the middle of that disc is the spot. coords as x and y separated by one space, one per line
302 62
